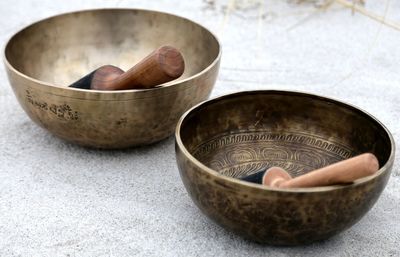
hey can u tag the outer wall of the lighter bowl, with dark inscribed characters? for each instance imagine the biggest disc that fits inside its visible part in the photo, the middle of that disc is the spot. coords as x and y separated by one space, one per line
96 122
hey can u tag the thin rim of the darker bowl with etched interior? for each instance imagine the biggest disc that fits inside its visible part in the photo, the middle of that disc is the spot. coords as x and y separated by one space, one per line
239 182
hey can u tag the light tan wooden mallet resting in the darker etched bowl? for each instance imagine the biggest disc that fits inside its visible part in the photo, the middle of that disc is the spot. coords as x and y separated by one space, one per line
342 172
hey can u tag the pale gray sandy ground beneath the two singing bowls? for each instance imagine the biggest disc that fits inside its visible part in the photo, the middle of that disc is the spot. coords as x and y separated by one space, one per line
58 199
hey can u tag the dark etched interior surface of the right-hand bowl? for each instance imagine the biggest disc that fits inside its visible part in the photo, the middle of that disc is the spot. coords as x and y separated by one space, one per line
243 133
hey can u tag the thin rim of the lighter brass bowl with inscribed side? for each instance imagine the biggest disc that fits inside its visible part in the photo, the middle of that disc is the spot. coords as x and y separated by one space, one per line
160 87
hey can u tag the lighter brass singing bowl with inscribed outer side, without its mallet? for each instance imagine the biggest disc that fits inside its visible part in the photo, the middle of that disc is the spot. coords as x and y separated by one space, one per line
44 58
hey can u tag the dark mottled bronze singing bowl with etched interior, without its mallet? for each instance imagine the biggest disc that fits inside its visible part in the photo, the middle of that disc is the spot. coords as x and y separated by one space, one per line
235 135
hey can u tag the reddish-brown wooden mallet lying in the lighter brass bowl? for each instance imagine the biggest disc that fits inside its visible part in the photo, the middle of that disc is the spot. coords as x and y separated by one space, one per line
163 65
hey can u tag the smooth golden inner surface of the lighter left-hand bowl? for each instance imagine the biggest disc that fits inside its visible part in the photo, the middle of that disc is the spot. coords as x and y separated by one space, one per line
64 48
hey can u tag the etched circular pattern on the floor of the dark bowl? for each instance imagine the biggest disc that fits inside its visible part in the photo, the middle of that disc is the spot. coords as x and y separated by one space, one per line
244 153
